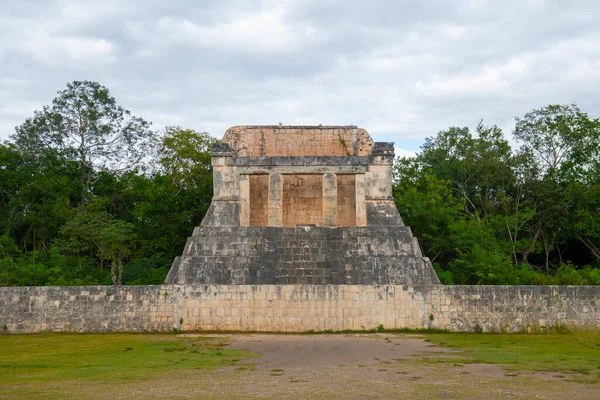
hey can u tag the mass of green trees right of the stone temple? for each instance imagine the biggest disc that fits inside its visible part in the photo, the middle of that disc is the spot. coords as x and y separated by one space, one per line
487 215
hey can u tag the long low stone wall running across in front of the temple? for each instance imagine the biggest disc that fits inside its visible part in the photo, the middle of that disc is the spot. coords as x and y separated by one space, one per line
295 308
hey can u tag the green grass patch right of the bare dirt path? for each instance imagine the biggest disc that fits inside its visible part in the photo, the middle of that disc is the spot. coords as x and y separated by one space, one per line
575 353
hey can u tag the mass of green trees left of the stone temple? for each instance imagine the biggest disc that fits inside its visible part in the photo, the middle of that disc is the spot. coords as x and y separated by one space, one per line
76 215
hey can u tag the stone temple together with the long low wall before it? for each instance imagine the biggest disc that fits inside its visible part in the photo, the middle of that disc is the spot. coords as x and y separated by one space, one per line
296 208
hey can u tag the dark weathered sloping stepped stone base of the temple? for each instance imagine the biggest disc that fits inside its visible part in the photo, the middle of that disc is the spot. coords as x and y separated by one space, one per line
302 255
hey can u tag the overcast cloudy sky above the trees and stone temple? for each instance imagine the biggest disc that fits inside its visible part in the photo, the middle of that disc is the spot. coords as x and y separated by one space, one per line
403 70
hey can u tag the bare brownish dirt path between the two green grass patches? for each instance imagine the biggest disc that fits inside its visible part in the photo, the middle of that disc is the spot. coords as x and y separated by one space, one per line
383 366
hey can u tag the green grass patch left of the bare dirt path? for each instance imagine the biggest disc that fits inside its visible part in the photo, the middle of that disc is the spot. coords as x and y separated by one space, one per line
107 358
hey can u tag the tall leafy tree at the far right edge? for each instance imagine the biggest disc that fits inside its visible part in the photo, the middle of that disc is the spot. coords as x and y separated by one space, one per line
564 143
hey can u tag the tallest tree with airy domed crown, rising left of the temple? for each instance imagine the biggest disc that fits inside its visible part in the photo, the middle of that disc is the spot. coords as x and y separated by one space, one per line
85 122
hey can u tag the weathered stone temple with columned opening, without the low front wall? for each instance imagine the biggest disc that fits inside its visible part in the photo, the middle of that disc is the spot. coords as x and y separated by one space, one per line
302 205
